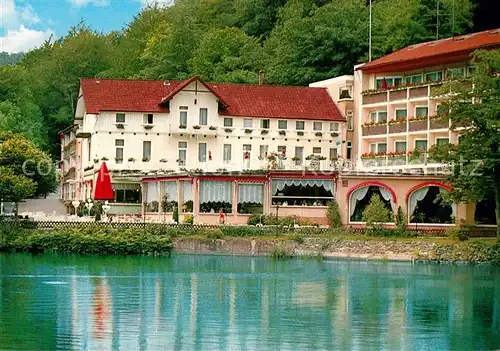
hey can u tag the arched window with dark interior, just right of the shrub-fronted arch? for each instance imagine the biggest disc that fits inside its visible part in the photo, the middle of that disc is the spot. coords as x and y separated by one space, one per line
427 205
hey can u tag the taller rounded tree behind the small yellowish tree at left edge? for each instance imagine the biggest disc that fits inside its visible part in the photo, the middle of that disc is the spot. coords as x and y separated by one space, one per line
23 158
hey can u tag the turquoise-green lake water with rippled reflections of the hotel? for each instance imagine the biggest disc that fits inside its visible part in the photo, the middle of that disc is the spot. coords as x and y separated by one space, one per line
219 302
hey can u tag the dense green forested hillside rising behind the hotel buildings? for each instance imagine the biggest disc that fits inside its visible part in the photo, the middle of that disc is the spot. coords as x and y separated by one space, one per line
294 42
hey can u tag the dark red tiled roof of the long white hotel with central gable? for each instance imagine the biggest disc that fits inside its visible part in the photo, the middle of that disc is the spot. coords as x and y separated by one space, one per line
239 99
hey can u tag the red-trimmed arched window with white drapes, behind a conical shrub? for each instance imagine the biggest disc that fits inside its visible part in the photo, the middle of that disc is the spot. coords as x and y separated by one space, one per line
360 198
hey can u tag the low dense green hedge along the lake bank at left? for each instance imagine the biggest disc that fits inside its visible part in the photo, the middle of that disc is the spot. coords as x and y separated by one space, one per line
91 240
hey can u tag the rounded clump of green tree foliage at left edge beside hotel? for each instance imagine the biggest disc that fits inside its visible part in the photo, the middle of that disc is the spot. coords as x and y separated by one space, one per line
25 170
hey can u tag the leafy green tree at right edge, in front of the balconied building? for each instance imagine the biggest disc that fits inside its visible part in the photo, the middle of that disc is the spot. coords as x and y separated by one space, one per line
475 160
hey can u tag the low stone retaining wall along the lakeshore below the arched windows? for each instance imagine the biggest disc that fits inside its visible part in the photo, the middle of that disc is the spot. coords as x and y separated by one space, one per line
383 249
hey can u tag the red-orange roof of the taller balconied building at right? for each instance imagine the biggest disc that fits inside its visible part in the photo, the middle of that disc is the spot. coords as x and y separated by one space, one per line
435 52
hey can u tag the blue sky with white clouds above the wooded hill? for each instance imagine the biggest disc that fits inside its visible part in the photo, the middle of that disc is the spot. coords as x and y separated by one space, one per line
25 24
